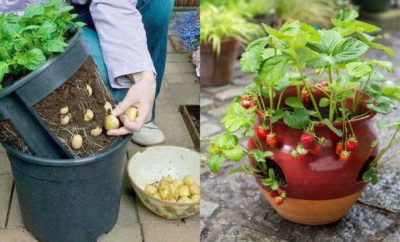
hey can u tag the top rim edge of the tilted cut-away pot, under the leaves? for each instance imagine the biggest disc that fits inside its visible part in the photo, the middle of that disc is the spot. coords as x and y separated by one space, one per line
25 79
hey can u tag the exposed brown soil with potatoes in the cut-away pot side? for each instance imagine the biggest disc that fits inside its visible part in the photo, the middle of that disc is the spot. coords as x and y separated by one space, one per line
74 94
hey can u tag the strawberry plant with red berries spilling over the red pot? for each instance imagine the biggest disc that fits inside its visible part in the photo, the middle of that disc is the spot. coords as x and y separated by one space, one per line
335 59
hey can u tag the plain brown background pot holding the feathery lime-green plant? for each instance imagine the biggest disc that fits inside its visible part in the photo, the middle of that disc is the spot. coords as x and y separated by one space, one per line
218 70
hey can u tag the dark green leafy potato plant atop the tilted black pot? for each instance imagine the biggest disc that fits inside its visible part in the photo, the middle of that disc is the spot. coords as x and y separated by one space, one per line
27 41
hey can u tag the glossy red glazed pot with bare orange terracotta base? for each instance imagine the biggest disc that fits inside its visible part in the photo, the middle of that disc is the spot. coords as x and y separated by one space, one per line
320 188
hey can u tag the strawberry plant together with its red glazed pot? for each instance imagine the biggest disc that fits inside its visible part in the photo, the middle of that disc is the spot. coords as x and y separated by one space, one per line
308 117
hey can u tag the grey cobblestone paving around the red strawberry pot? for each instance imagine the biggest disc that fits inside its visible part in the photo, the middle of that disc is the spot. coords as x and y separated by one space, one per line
234 210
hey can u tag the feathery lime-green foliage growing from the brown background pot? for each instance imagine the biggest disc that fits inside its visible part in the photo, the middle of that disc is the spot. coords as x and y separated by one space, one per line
218 24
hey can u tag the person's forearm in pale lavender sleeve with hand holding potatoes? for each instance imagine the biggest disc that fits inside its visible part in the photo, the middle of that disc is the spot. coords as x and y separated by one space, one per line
124 45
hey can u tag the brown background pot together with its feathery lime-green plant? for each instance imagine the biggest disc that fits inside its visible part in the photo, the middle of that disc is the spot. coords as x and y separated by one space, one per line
221 31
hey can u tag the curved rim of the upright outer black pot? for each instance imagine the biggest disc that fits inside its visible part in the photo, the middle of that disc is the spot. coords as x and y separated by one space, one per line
67 162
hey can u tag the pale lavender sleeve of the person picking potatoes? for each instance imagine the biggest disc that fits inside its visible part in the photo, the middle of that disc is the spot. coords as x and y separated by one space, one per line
122 37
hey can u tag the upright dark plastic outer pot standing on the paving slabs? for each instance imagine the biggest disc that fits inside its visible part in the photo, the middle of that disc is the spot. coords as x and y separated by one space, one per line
69 200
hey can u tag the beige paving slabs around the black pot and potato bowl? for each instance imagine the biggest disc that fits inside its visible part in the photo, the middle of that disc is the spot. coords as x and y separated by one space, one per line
135 223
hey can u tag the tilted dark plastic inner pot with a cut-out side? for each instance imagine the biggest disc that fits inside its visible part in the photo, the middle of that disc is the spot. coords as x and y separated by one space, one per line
17 100
